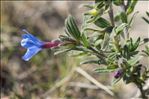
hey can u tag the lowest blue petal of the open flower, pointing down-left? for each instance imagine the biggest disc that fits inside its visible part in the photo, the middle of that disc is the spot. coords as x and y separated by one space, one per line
31 52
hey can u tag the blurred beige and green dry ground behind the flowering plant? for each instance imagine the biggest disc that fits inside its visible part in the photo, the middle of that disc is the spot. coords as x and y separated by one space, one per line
46 75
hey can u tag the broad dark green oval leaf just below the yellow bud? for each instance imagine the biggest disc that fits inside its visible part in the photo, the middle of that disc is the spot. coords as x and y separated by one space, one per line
101 22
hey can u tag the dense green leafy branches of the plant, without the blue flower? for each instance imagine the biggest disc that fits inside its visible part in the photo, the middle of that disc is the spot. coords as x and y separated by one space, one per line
107 42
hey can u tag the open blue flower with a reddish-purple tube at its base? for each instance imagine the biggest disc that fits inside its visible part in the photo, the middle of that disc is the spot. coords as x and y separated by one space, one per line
34 45
